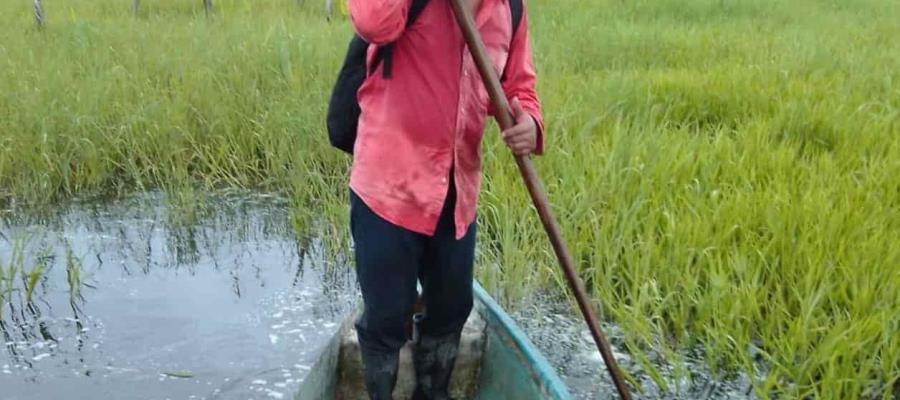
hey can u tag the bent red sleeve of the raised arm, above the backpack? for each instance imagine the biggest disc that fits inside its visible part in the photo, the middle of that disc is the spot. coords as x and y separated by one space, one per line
379 21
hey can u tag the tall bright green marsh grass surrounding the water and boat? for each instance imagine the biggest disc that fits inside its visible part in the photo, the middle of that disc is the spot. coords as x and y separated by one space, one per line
726 172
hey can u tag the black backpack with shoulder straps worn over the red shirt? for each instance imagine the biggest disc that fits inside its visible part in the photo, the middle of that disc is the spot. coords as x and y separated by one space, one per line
343 109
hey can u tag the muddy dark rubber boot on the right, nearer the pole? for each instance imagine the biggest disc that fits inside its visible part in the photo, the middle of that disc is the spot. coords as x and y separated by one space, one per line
434 358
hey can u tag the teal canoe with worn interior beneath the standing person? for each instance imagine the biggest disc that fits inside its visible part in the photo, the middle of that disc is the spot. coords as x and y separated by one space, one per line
496 362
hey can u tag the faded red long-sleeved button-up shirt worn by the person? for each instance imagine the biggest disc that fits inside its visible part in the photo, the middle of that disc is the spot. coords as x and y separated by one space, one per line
428 118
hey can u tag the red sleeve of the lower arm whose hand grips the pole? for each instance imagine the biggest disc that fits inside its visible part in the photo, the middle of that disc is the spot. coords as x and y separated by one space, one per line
520 78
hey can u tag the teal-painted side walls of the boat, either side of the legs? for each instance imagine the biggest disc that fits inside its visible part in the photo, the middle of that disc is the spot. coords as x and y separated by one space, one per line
511 366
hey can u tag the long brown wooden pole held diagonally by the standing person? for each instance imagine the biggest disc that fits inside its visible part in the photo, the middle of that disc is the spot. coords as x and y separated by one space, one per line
535 189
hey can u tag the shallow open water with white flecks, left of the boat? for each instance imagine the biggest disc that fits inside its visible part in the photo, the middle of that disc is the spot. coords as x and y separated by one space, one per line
230 307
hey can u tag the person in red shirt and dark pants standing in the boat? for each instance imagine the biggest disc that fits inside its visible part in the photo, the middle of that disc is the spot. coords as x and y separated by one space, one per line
416 175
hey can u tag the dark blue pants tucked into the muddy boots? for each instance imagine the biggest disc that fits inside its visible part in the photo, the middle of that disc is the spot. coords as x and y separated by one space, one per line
389 262
